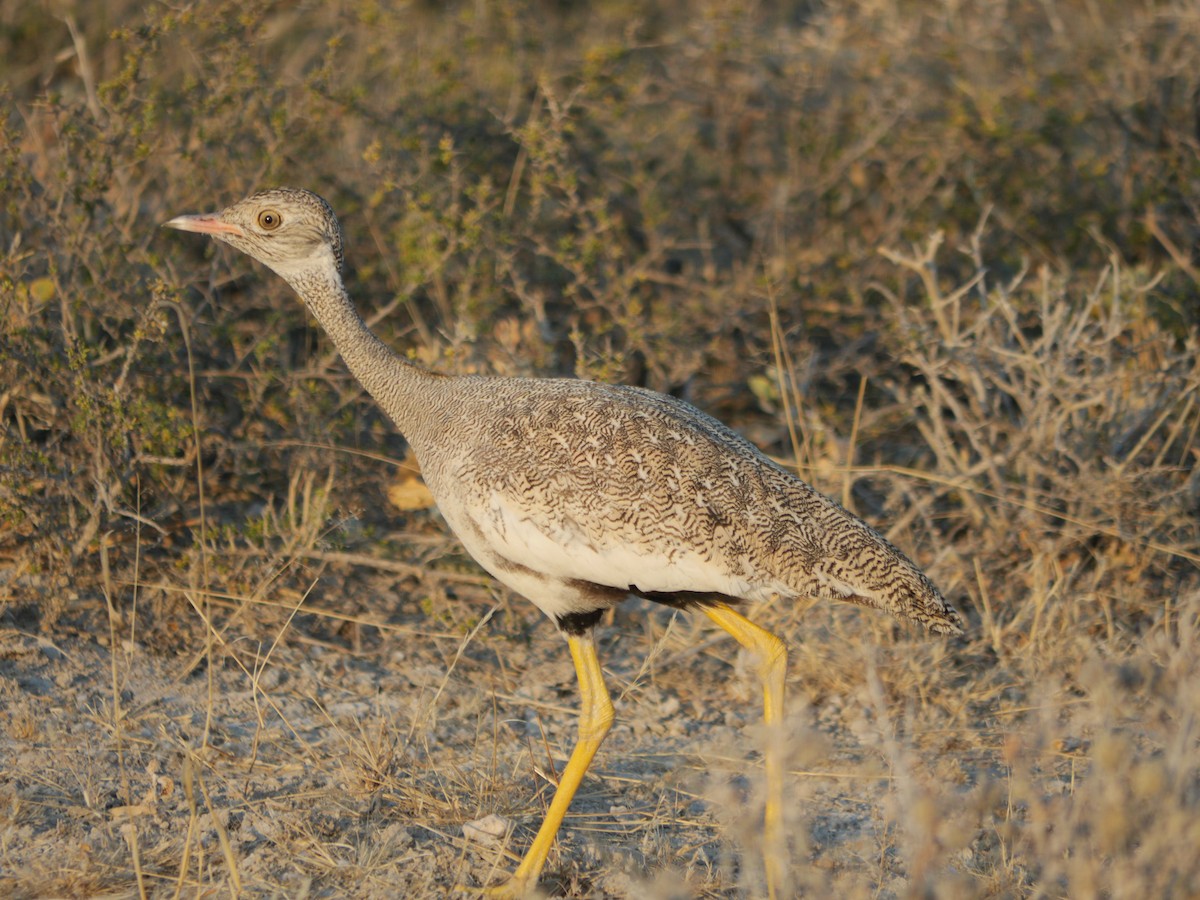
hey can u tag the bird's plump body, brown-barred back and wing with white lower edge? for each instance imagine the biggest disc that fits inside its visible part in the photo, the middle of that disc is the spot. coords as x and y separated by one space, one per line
577 483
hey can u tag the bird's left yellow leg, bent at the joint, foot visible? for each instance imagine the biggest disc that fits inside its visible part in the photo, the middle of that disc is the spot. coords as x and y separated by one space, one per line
596 721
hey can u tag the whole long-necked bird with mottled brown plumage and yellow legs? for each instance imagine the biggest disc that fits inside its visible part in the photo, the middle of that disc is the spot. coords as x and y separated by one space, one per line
578 495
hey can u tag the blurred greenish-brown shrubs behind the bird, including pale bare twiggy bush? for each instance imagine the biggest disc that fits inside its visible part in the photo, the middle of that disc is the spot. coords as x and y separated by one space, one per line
951 245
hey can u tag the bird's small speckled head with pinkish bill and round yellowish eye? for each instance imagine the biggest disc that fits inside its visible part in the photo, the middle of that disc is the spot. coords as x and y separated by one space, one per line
292 232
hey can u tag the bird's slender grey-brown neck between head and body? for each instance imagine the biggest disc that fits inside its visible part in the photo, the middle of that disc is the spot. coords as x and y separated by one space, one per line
406 393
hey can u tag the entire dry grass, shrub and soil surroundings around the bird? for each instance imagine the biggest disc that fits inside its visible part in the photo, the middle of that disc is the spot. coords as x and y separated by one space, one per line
941 259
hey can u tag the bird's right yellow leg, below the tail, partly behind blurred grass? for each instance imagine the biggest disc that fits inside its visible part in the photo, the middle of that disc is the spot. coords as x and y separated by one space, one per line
771 658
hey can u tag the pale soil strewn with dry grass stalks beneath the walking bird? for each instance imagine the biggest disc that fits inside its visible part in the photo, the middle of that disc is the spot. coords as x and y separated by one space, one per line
346 763
